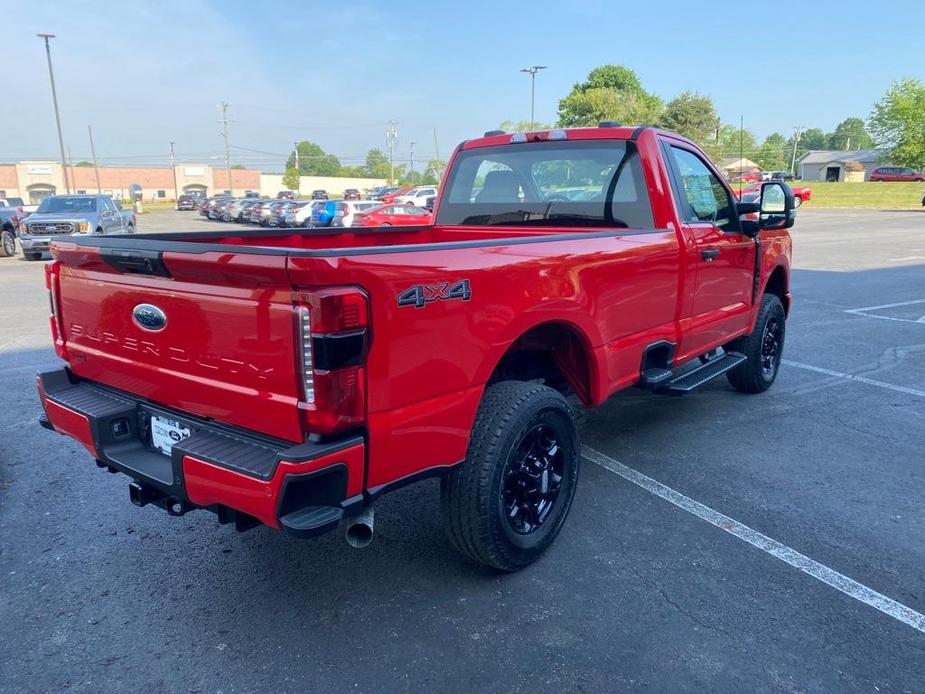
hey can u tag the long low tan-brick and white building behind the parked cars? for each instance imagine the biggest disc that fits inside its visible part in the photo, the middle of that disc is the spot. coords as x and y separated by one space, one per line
35 180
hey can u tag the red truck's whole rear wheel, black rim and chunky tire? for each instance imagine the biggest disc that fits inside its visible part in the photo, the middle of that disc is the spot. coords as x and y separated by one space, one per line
493 504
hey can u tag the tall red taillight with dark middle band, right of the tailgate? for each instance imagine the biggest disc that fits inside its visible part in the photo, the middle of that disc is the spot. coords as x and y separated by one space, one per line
333 338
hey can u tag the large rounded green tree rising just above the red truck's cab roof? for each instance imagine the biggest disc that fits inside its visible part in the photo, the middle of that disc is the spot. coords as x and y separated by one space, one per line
611 92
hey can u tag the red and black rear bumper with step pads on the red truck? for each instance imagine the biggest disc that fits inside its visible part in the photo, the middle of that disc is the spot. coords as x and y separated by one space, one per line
245 478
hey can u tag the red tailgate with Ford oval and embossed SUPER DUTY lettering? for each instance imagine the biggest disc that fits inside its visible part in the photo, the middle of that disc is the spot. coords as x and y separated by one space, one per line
226 351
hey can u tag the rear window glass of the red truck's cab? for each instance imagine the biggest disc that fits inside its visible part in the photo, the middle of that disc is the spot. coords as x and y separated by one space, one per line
590 183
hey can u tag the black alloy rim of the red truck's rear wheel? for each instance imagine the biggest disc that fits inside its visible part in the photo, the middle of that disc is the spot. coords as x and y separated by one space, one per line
532 480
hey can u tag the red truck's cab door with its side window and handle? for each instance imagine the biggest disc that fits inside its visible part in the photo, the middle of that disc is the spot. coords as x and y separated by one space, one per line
723 257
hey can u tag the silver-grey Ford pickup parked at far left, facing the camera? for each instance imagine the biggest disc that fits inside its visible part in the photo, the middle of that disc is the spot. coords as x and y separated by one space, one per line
59 215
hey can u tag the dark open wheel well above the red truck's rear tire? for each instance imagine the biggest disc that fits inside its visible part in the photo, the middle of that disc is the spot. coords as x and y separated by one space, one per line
553 353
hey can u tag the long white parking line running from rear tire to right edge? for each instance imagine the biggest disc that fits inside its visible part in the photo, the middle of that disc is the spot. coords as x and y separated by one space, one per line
786 554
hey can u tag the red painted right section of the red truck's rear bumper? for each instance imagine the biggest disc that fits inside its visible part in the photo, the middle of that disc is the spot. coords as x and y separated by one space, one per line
208 484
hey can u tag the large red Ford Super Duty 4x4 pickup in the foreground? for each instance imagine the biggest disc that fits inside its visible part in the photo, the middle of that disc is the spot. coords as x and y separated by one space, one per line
292 378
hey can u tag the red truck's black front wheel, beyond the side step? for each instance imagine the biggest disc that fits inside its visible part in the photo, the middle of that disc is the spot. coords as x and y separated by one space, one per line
764 348
